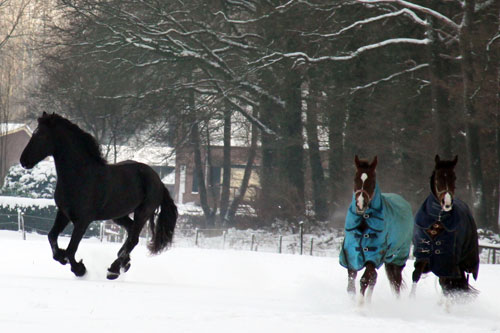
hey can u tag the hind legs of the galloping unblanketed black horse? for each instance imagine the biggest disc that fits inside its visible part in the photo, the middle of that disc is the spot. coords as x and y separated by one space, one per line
133 228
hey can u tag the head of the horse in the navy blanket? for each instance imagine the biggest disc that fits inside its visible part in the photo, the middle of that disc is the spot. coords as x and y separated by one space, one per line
443 181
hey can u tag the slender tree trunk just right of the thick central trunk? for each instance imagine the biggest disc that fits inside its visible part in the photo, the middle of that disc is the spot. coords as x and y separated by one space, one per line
319 195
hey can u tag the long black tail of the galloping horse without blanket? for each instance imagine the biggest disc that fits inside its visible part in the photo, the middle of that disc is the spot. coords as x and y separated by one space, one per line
163 230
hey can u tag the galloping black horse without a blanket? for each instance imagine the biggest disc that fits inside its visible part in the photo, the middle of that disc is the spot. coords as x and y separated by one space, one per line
89 189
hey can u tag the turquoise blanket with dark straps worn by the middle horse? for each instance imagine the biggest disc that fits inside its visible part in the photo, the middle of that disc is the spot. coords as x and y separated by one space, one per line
382 234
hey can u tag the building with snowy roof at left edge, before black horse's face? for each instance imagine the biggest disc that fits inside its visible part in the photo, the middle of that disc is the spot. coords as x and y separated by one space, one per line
13 139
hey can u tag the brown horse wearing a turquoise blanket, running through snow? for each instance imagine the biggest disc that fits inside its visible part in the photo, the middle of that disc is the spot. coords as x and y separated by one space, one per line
378 230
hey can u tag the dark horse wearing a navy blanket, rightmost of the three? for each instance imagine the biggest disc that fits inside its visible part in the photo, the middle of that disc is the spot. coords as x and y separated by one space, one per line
445 235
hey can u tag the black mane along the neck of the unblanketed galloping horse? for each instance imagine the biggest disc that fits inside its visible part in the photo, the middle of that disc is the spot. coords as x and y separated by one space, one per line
88 142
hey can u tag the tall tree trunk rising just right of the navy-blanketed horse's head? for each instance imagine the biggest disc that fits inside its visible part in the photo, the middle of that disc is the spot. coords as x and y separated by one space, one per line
472 129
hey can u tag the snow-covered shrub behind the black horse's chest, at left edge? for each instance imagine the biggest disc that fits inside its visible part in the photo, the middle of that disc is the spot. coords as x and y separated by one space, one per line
39 182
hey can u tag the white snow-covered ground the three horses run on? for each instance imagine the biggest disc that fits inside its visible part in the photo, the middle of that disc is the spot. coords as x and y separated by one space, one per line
201 290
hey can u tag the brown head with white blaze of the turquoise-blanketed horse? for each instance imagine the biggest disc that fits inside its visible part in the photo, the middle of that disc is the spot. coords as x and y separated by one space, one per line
364 183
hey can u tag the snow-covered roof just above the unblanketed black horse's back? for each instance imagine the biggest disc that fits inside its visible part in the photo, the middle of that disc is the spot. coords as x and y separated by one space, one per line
151 155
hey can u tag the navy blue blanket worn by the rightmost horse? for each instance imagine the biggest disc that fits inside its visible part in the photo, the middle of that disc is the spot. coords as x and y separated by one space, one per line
455 249
